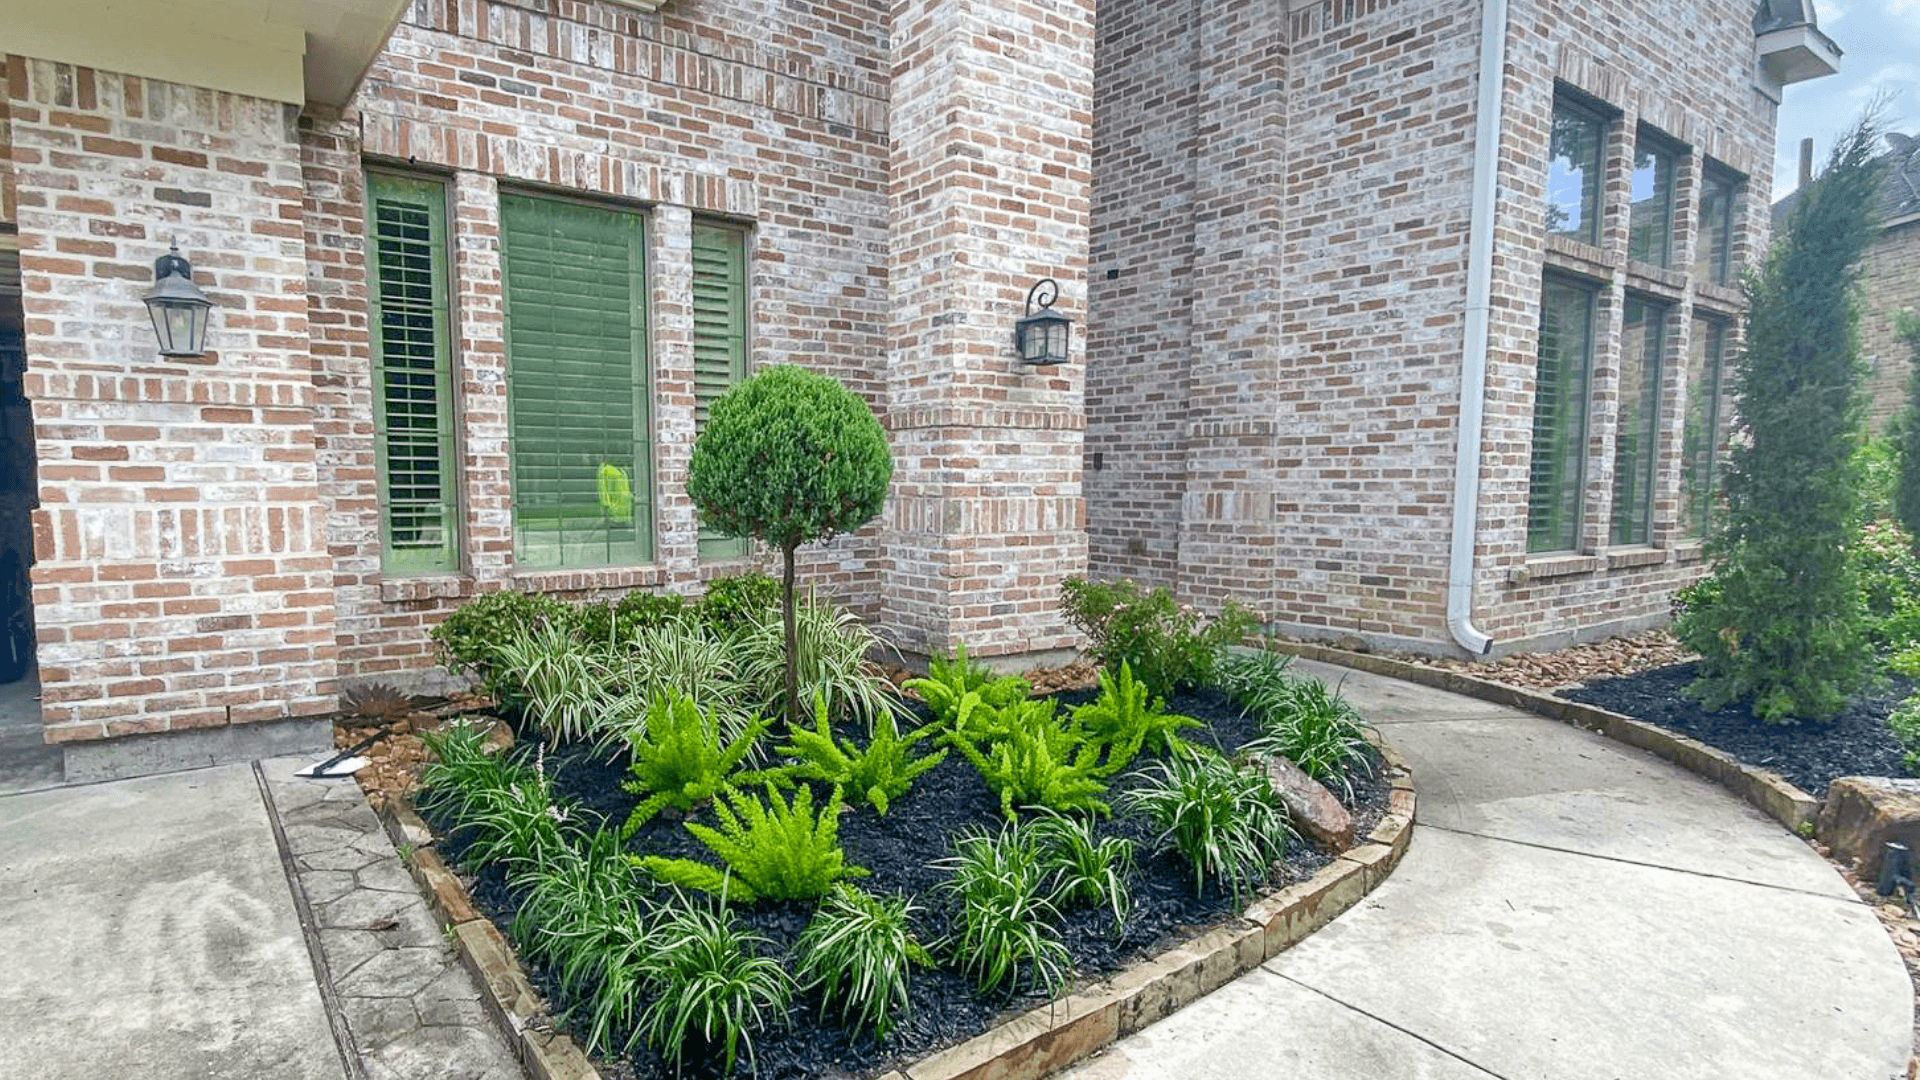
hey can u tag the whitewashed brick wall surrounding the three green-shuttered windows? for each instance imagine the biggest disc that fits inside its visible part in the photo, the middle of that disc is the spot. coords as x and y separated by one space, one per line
771 114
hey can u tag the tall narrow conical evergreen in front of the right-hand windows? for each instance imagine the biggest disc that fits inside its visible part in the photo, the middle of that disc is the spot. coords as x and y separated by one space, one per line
1781 622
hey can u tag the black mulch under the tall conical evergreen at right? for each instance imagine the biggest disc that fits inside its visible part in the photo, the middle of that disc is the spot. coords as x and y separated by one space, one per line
1808 754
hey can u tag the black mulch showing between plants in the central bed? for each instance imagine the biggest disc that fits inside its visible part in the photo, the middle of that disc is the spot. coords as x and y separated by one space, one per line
901 850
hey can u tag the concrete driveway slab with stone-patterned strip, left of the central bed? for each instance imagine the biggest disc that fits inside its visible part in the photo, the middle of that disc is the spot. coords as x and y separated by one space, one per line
168 929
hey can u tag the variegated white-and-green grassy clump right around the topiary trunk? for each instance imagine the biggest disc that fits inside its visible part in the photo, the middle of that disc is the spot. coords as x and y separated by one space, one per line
828 660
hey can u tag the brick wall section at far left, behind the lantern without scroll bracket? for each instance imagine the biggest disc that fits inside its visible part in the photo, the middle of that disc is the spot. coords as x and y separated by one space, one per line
183 577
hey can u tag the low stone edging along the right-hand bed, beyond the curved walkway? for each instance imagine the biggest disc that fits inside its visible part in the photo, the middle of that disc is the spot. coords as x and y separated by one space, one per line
1767 793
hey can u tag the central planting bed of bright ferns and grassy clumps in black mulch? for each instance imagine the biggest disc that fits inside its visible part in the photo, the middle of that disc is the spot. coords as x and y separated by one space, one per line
571 800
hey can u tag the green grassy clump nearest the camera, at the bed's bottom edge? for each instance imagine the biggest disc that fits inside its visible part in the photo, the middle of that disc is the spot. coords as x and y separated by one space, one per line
711 987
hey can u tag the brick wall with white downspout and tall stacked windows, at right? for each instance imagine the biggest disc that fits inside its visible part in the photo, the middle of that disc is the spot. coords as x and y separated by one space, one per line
1374 178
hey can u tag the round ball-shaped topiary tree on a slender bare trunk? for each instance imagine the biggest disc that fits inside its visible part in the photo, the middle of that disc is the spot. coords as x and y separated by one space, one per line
790 458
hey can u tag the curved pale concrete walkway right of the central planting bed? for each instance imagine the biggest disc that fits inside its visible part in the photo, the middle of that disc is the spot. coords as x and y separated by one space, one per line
1570 910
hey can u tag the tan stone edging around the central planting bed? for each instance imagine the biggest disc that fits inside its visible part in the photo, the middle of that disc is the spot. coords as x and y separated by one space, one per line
1028 1046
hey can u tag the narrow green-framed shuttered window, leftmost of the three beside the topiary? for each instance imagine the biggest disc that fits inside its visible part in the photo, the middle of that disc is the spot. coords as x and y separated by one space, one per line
414 381
